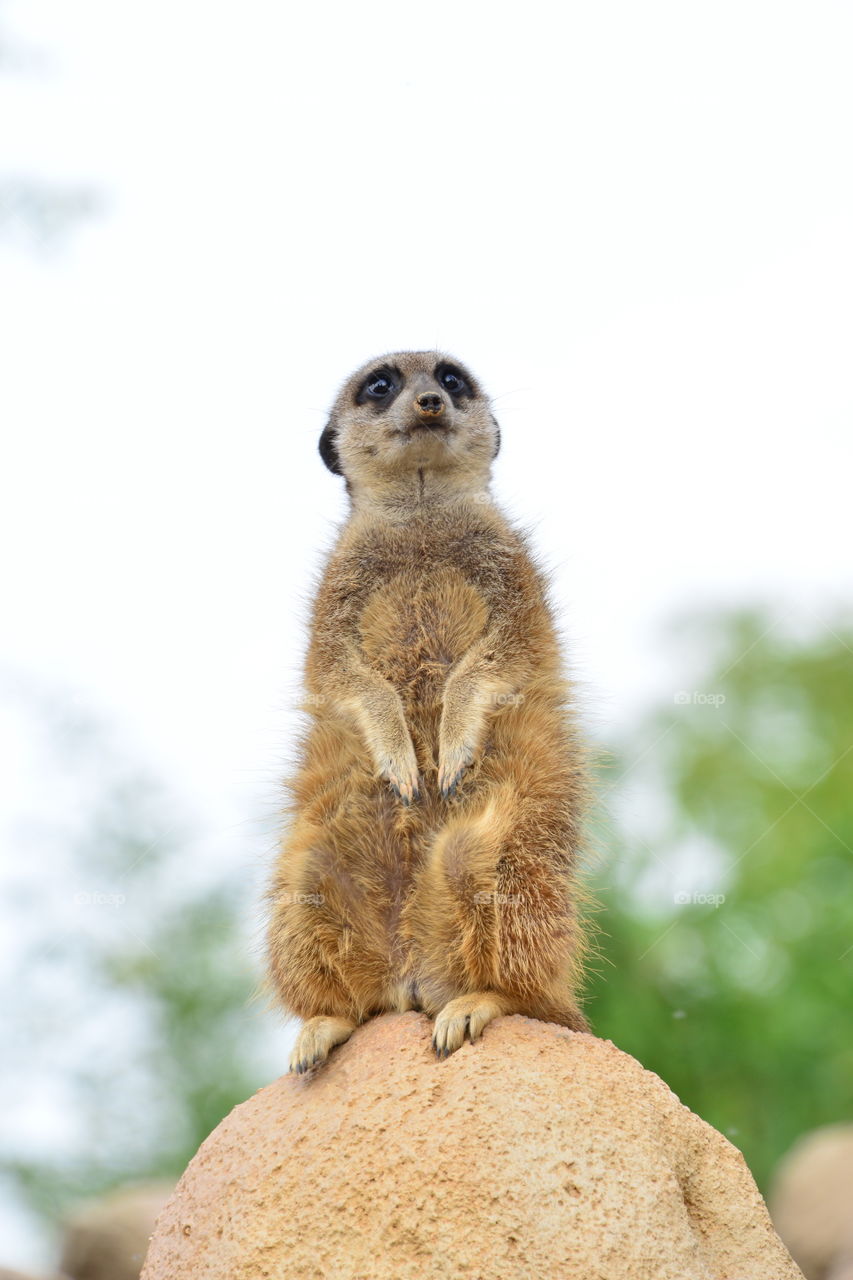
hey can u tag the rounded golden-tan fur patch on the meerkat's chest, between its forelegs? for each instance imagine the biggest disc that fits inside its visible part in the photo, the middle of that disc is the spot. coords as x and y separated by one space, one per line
414 629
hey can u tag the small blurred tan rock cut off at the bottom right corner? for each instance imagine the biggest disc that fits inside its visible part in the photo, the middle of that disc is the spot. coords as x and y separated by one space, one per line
811 1203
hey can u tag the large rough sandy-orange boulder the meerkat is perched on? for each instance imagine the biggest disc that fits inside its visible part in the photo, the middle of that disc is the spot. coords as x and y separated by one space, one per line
537 1153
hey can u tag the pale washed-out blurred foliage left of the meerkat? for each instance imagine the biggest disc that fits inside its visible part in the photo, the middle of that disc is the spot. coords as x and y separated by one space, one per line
129 979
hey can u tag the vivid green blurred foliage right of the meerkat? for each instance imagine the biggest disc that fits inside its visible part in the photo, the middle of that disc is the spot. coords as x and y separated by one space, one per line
743 1005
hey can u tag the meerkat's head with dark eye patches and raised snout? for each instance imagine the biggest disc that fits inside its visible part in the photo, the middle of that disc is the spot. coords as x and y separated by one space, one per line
407 417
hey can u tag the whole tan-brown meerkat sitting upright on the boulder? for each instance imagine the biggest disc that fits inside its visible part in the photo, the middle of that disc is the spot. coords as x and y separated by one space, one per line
430 857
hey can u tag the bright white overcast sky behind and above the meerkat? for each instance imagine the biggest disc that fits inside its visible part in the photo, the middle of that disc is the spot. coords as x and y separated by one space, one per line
635 222
